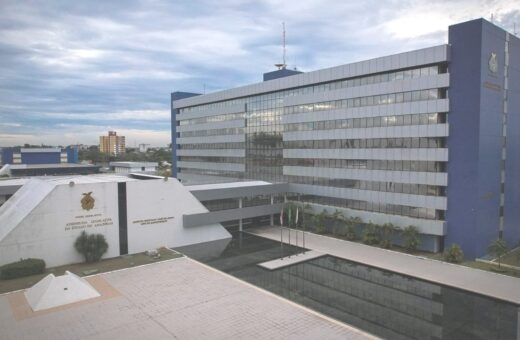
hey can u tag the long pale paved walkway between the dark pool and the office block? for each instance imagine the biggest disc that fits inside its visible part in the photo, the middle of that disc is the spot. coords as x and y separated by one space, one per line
477 281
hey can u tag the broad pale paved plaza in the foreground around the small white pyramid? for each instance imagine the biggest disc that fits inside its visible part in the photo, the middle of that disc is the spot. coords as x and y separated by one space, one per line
177 299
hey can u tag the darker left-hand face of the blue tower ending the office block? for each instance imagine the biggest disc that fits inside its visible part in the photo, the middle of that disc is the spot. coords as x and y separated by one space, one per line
464 95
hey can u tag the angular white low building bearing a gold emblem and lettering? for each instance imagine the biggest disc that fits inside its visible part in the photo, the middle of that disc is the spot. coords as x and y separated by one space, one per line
46 215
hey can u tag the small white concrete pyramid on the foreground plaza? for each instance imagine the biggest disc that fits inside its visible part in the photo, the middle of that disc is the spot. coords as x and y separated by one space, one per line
54 291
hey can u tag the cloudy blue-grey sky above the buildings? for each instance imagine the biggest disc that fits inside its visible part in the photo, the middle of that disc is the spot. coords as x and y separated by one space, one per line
72 70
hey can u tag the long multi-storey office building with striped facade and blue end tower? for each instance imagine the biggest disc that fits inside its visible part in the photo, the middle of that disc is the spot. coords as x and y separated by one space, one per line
429 138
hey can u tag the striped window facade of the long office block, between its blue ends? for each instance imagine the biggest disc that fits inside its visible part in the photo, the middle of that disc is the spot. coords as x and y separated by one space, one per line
265 134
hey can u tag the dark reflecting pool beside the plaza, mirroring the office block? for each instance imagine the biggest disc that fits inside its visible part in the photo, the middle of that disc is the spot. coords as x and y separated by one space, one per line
386 304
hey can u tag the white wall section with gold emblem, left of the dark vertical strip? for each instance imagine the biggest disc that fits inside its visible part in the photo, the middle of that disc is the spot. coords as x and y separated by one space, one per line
50 230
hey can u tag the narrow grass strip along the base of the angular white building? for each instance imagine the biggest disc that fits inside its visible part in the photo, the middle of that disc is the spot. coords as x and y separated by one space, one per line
83 269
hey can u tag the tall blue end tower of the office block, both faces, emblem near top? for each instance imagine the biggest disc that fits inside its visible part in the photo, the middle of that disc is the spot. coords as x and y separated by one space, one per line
475 141
